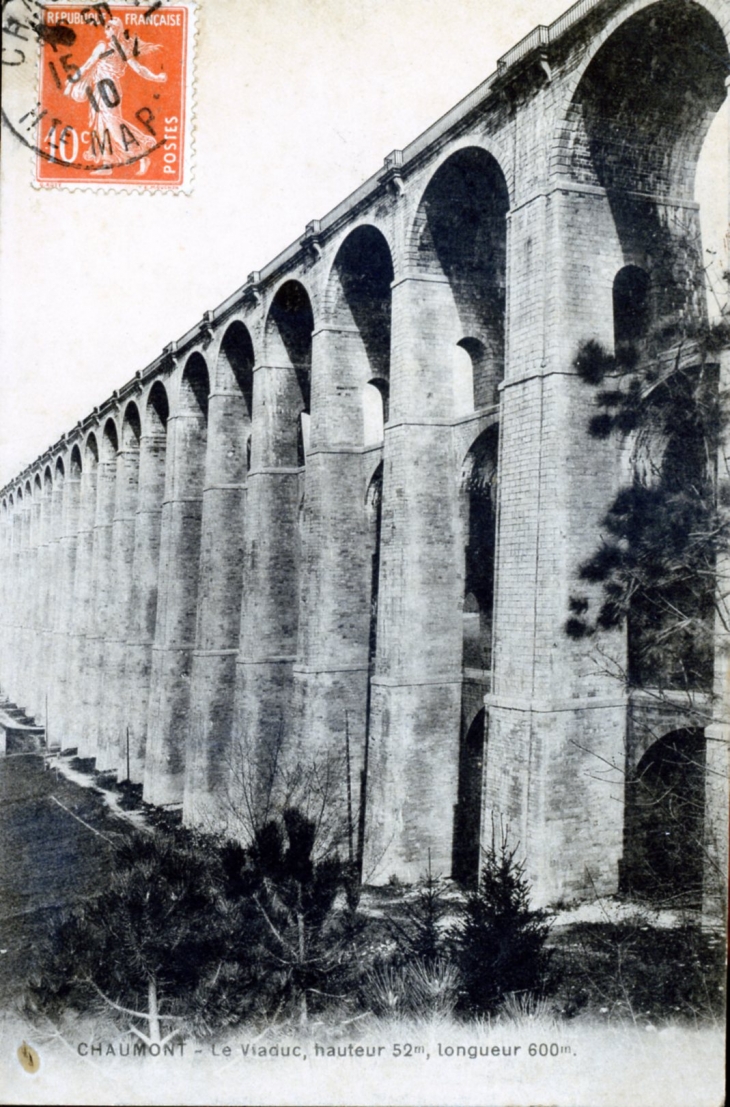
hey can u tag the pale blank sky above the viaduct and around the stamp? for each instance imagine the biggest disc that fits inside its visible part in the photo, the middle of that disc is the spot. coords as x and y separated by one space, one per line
299 101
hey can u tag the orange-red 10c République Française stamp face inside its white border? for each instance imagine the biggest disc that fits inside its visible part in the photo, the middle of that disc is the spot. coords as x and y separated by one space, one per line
114 96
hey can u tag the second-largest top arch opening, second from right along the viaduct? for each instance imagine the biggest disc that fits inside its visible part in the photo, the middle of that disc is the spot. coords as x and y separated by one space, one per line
460 233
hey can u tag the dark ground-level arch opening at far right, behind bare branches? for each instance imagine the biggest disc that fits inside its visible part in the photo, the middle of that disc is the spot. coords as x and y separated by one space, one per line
664 831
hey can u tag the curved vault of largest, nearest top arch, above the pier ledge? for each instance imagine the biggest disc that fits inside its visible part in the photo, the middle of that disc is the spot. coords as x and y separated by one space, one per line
642 110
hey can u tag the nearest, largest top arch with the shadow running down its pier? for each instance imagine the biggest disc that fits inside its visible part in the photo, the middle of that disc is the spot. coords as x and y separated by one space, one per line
635 126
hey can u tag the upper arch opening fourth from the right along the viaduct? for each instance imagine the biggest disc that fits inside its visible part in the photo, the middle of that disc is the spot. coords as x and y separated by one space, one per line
289 332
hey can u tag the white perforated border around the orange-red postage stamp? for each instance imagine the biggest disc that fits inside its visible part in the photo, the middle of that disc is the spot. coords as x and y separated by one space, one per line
105 187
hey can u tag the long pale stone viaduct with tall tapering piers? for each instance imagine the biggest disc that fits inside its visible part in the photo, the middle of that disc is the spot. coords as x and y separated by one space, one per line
323 547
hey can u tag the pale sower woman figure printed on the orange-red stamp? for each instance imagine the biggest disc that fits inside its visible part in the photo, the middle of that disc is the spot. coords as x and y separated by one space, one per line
114 140
